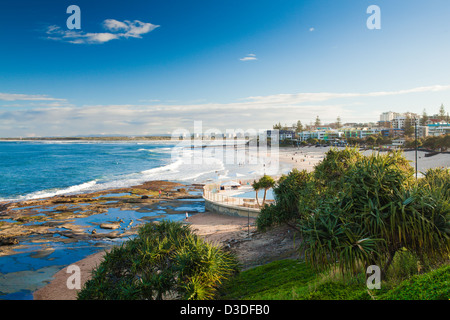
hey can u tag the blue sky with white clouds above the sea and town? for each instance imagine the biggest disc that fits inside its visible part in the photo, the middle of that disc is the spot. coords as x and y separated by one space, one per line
150 67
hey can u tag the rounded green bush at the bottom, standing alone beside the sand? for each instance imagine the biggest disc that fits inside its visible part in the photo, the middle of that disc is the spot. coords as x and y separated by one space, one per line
165 259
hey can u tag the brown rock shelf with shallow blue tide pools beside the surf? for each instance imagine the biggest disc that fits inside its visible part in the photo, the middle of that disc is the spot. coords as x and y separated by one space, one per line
88 216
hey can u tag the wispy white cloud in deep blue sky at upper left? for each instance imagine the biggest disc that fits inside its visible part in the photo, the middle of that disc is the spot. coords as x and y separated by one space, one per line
114 30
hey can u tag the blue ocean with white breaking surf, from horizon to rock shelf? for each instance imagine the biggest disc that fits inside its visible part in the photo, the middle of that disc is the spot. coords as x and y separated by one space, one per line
35 170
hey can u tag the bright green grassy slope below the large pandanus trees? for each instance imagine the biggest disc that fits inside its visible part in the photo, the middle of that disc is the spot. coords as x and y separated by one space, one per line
295 280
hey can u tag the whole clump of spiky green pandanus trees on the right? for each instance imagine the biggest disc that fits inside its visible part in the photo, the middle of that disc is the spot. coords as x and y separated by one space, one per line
360 210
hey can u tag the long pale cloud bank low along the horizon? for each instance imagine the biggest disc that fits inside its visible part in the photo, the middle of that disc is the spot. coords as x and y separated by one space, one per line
154 117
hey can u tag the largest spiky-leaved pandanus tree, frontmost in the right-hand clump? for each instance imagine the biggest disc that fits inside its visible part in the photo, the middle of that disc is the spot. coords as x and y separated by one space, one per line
378 211
